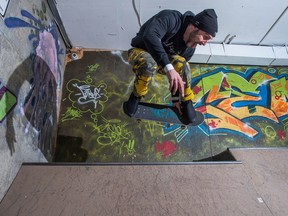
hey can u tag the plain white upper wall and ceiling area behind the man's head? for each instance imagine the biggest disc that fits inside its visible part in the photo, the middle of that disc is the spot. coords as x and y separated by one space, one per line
111 24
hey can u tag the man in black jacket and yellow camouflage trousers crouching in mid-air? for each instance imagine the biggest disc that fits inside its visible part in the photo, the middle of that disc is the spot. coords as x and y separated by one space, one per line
165 44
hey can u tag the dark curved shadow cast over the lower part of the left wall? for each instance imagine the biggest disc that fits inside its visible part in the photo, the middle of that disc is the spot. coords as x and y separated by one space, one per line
38 106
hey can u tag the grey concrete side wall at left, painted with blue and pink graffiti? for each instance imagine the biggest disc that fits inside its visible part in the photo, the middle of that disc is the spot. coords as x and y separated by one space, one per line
31 65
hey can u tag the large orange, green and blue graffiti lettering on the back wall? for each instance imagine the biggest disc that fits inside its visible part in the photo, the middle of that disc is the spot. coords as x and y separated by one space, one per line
230 100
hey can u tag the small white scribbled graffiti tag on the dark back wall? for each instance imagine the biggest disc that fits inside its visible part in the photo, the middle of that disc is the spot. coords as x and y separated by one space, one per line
88 95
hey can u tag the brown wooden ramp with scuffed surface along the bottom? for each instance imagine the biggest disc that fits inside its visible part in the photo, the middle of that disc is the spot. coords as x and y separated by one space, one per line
255 185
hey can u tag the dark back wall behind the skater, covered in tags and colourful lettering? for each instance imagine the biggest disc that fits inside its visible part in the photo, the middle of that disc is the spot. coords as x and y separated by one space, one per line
244 106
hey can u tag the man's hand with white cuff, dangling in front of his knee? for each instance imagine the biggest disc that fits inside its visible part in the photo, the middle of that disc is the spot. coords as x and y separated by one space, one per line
176 82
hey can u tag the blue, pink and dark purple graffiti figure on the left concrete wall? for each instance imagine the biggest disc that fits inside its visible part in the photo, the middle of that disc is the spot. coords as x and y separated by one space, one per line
41 103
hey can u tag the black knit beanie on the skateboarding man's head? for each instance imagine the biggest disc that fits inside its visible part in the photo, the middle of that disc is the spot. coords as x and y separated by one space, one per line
206 21
